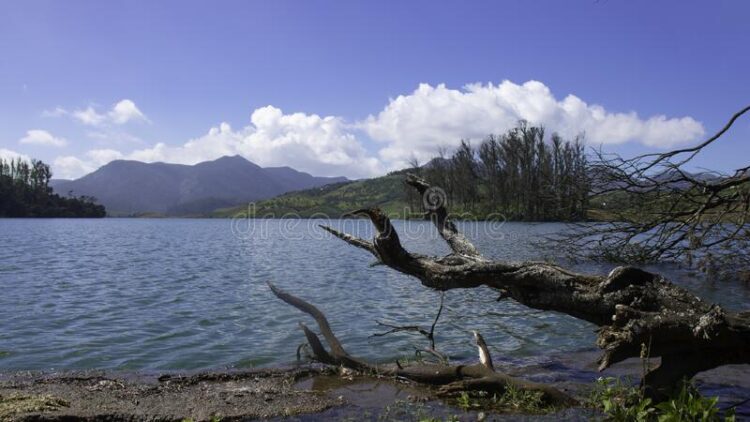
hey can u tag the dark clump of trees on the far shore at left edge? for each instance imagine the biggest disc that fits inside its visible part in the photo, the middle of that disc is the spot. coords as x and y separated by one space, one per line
25 192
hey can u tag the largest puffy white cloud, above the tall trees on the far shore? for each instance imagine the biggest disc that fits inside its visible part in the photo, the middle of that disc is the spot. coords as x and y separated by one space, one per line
432 117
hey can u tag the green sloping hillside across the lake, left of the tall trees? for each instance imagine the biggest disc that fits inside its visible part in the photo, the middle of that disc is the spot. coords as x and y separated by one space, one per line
333 200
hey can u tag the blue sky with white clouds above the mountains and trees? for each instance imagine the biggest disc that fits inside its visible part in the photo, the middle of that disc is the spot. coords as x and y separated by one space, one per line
357 88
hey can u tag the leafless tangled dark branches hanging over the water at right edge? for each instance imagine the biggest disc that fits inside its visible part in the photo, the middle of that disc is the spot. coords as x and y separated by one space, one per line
658 210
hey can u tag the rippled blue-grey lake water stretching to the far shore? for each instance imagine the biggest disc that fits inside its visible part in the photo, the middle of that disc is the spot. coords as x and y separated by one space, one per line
188 294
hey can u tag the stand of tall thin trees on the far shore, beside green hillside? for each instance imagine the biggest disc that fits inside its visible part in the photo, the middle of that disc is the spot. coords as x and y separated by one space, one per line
521 174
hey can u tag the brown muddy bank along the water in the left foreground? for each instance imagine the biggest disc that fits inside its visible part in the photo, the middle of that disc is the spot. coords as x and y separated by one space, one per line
98 396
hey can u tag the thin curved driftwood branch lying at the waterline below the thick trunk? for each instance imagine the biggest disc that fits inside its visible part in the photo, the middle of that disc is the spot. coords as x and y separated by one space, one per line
452 378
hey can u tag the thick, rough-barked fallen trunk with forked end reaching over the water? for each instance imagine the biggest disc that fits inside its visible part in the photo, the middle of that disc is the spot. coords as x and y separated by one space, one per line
632 307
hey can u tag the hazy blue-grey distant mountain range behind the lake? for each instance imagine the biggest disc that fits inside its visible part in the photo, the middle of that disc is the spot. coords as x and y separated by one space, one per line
133 187
